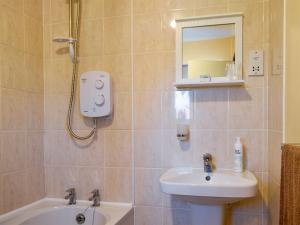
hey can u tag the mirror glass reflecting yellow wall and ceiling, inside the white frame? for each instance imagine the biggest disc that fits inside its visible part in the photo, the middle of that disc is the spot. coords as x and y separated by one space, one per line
208 51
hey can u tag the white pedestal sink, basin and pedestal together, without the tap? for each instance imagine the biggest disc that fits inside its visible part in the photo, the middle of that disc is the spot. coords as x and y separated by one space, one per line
208 192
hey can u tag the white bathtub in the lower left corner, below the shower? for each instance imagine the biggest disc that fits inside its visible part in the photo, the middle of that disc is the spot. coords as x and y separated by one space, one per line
56 212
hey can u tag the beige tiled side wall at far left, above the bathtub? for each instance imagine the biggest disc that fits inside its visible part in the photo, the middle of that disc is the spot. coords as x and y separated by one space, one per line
21 97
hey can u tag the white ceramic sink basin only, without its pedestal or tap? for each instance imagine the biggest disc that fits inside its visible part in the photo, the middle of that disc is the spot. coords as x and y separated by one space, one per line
218 188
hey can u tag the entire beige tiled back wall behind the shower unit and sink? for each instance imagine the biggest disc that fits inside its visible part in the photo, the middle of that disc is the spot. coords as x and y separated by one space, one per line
132 40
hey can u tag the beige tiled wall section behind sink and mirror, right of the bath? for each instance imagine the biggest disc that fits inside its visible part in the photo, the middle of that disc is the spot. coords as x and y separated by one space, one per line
217 115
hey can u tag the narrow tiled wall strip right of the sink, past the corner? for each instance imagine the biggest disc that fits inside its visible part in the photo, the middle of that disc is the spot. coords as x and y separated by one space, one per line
275 107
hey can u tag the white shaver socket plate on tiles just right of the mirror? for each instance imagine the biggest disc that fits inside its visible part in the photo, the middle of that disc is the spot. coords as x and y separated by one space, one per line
256 63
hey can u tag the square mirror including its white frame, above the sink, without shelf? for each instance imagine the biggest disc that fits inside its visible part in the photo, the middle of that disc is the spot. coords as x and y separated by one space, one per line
209 49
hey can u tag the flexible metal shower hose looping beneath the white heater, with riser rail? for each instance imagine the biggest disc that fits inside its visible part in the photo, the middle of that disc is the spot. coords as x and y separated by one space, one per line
74 74
